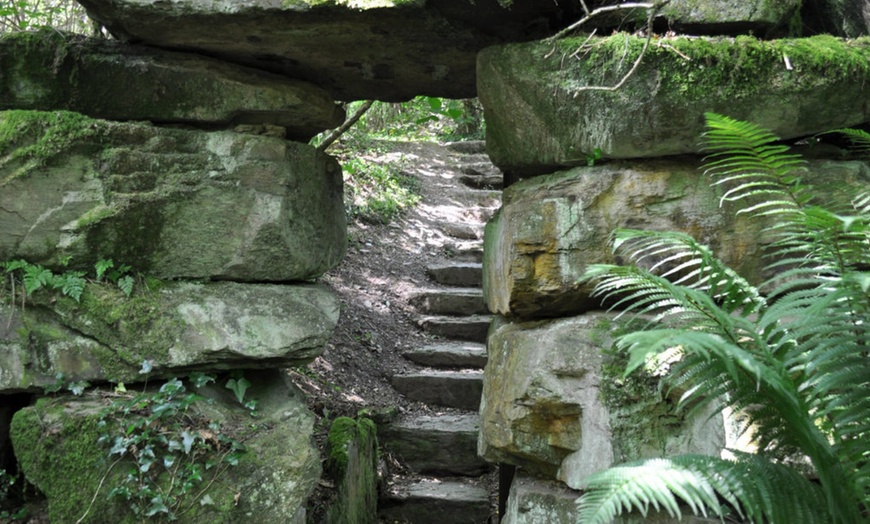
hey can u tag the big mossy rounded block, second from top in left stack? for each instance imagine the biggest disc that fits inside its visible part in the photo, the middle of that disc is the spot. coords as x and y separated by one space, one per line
173 203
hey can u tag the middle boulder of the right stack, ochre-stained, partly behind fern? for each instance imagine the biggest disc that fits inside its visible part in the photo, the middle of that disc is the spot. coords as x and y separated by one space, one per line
551 228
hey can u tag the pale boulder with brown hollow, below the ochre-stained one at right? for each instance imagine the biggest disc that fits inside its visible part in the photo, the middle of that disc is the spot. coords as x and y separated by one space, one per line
555 404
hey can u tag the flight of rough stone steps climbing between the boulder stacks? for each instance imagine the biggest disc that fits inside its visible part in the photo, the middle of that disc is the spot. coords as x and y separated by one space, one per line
447 481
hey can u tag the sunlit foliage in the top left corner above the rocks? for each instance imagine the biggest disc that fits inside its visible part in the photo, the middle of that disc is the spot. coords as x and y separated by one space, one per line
28 15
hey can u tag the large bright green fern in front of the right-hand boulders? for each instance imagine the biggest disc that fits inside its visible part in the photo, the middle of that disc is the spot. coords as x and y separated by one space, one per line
794 363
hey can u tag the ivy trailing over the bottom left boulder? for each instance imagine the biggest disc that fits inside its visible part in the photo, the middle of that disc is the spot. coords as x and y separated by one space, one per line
171 451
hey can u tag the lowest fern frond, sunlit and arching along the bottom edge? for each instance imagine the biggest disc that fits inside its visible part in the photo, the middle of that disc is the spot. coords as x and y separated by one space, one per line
699 482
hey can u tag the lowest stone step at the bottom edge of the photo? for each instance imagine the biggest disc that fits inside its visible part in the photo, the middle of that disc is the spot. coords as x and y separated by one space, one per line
435 502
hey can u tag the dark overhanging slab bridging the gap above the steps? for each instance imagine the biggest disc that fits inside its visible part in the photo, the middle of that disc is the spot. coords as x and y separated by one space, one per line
385 49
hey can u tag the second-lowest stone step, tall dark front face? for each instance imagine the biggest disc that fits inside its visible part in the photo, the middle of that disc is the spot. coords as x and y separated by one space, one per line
436 445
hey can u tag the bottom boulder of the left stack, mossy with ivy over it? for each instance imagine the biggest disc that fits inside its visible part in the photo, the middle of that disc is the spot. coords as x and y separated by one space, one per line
57 444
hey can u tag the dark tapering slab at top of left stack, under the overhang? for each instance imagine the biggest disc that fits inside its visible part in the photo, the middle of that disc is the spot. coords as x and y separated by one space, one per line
106 79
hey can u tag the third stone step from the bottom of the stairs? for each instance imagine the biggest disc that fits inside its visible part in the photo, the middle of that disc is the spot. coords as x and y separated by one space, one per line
452 389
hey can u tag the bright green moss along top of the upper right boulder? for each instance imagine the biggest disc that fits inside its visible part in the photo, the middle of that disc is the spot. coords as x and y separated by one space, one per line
732 67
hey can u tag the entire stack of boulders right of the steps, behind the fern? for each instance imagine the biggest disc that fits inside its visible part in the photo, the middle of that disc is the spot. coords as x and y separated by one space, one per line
584 162
